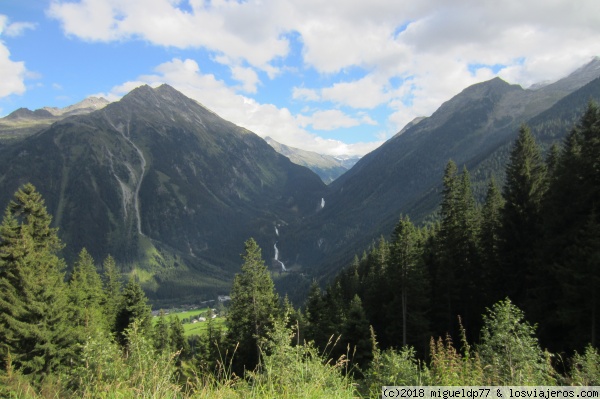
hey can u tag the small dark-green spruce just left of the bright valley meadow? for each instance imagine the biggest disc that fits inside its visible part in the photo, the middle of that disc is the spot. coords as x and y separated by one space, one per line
133 307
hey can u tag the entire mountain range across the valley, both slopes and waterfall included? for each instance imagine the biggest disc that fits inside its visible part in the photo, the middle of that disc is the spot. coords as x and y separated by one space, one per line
172 190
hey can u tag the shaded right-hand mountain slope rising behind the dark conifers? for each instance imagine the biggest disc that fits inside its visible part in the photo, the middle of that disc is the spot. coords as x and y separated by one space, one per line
403 176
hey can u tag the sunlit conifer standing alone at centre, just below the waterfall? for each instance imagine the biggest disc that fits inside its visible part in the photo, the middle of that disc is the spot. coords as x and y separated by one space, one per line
254 305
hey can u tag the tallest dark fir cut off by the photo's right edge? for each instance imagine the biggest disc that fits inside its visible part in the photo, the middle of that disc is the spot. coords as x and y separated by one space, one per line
570 238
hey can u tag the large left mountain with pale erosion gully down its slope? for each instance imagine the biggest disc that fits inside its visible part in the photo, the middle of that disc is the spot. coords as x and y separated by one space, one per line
164 185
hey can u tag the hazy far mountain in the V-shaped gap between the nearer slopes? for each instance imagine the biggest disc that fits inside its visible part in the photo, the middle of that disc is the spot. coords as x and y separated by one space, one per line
327 167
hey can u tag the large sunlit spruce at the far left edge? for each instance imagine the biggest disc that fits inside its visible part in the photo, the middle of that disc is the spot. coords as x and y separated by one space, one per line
35 331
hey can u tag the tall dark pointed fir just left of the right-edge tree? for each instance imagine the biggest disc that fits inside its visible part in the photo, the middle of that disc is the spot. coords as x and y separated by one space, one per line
523 193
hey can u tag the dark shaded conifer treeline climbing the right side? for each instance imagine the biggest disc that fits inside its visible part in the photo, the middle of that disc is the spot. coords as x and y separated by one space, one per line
535 240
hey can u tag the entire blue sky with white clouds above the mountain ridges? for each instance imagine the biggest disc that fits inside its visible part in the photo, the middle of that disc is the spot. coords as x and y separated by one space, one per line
336 76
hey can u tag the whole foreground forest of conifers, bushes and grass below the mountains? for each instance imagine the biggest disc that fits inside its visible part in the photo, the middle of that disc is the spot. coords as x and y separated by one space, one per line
499 293
